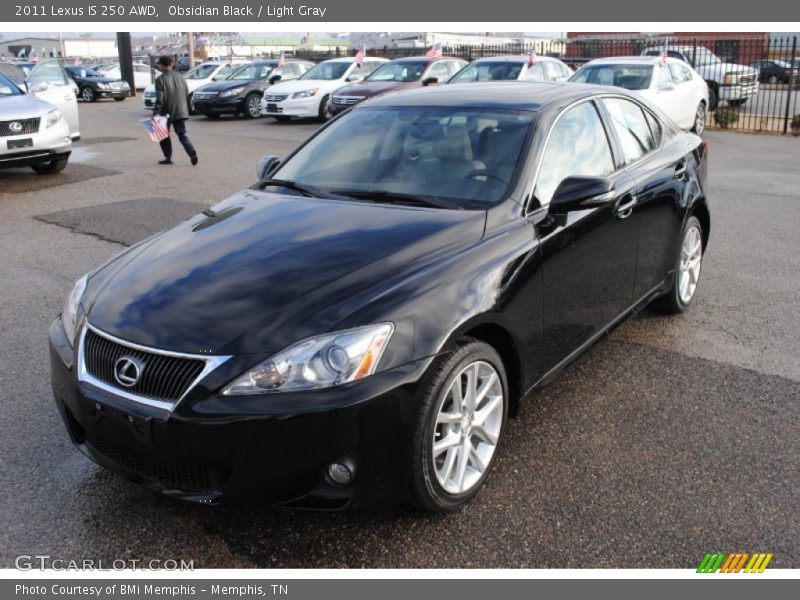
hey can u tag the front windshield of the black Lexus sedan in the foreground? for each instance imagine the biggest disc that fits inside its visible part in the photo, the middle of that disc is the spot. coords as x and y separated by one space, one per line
468 156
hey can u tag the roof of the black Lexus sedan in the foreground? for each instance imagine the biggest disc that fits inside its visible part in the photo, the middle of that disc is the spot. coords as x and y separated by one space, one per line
519 95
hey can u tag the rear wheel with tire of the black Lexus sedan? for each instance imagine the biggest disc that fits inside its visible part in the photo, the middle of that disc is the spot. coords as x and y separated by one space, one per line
687 271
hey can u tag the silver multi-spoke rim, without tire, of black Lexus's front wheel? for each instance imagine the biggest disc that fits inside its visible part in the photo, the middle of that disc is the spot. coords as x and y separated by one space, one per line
467 427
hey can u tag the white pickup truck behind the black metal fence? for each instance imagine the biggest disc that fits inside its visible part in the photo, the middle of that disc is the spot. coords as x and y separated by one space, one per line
726 81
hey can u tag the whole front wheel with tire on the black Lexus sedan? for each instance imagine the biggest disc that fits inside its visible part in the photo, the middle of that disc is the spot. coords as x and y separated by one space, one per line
459 427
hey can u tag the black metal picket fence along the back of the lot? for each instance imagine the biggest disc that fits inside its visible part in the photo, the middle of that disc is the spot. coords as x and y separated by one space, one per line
754 80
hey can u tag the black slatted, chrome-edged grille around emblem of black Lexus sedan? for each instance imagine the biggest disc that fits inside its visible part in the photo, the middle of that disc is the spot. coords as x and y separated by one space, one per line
163 377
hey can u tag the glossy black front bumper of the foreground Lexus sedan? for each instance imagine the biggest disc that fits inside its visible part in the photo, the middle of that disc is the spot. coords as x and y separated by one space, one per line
247 450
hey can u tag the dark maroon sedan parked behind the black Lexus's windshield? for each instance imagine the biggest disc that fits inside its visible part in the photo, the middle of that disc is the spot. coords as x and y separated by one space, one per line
400 74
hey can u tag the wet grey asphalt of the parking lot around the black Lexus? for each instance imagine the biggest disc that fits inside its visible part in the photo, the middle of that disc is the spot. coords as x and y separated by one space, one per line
674 437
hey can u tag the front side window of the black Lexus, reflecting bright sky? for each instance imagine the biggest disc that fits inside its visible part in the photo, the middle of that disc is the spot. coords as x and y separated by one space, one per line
578 145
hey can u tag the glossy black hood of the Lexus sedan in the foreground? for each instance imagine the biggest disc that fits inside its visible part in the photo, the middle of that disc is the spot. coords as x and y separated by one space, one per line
268 271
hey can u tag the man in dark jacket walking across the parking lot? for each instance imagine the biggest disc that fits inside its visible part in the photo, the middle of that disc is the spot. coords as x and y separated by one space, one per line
171 95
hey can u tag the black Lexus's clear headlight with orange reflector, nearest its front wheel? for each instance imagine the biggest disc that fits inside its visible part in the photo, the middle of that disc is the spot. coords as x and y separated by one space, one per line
318 362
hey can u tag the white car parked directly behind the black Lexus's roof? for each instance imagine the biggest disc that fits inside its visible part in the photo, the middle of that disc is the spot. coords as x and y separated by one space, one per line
513 68
